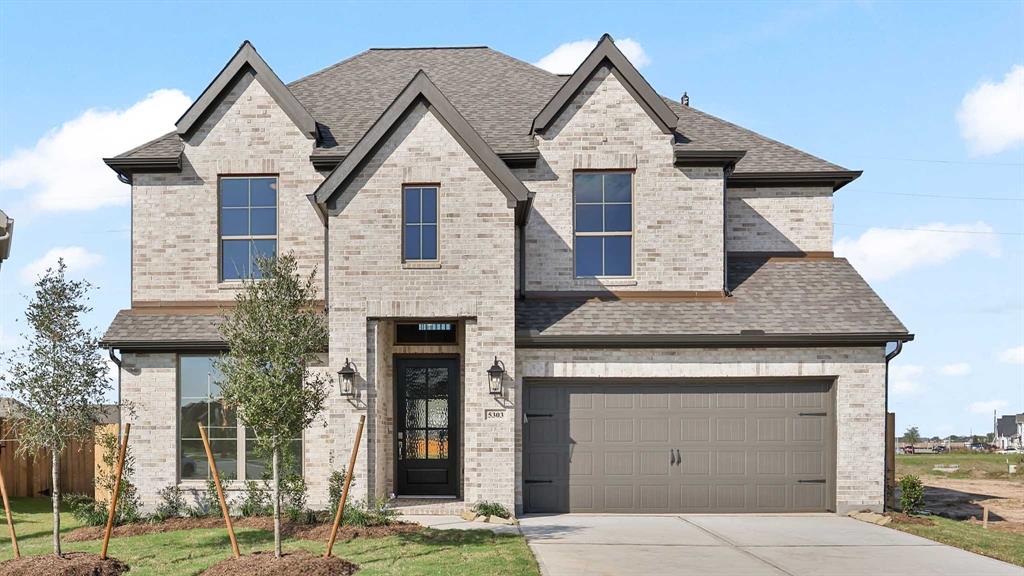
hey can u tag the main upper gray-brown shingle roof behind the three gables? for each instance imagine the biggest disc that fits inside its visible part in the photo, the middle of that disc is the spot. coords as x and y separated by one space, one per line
498 95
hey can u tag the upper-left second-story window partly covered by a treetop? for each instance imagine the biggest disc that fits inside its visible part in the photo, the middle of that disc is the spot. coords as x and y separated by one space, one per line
248 225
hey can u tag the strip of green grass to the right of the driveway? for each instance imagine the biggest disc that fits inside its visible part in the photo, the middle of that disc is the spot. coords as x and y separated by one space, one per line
1001 546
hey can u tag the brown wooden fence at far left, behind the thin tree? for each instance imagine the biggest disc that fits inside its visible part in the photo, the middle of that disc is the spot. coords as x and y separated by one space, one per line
31 476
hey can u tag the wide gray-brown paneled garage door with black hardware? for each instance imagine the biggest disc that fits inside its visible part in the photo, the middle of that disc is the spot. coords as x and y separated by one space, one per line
678 447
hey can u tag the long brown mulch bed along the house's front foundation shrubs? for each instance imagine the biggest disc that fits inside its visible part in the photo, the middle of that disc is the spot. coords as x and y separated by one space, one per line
302 531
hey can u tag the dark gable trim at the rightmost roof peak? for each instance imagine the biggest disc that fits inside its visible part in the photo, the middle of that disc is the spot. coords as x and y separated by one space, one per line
608 53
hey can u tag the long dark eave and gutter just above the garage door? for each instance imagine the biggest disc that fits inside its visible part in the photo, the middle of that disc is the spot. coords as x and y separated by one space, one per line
533 340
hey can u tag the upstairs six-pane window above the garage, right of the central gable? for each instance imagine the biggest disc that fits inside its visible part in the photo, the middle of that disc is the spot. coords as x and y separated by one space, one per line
604 232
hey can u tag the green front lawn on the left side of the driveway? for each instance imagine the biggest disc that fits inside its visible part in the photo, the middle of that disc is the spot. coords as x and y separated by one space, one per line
475 553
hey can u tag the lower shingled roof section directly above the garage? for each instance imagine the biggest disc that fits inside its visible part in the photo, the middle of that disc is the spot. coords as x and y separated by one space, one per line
773 301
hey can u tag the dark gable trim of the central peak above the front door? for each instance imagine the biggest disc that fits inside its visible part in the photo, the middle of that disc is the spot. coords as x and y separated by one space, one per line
419 90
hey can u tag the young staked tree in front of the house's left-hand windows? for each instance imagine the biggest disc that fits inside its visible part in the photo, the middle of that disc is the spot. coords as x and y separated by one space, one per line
274 334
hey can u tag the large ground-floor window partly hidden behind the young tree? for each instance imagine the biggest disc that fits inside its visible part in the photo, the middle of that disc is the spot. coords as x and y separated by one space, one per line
233 444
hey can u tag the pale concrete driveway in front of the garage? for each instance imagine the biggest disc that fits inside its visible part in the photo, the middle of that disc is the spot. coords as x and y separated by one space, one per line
754 546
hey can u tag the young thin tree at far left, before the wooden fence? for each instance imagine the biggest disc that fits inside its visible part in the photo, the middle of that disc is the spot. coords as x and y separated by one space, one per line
59 377
